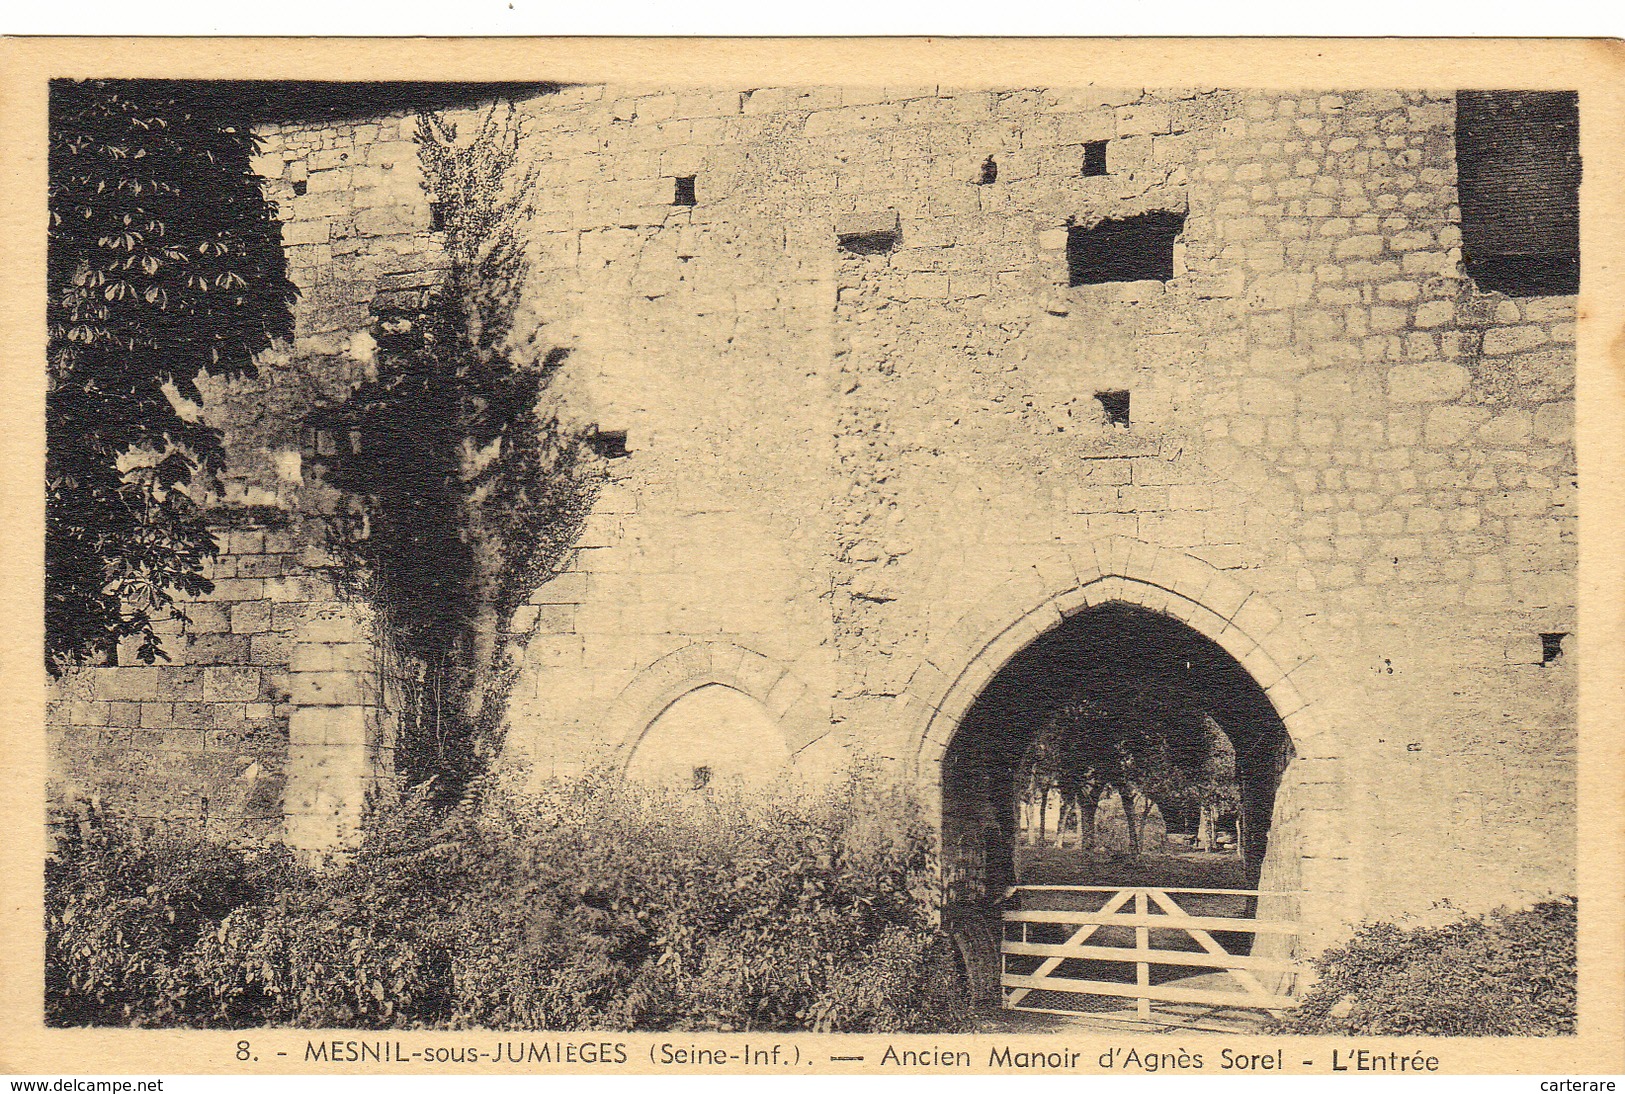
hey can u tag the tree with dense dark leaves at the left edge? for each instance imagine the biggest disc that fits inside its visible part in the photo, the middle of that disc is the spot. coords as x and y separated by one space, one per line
165 261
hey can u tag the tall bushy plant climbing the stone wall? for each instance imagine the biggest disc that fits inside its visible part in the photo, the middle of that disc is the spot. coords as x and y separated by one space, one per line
472 484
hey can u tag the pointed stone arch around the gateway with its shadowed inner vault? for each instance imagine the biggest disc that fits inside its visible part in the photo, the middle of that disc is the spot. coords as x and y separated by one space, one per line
1120 607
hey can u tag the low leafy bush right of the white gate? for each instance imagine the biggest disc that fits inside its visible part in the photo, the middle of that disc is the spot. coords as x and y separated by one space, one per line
1507 973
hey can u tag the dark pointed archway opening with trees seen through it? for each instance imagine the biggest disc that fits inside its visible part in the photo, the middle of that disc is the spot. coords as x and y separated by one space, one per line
1119 749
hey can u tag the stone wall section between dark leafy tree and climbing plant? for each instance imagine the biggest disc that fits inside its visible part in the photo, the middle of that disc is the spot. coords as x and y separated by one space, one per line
275 718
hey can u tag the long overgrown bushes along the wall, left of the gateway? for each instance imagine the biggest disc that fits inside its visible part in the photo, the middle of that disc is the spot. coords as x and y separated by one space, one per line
592 905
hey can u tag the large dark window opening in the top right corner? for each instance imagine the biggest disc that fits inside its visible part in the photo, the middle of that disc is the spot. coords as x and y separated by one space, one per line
1519 176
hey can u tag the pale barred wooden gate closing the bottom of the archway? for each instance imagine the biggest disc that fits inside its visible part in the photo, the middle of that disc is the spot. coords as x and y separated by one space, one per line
1143 909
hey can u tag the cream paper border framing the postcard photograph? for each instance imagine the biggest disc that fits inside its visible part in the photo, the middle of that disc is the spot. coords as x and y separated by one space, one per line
1595 67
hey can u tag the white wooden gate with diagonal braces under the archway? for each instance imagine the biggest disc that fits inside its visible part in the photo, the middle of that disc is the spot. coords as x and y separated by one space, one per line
1078 970
